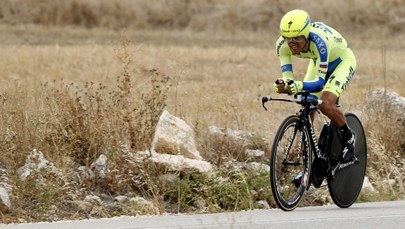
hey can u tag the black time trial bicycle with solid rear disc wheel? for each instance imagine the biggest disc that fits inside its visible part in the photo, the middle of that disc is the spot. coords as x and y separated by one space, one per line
299 159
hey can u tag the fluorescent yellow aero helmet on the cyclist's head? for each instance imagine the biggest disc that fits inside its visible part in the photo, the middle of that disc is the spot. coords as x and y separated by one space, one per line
295 23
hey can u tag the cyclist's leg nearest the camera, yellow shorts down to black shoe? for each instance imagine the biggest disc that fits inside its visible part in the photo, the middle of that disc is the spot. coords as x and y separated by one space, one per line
334 87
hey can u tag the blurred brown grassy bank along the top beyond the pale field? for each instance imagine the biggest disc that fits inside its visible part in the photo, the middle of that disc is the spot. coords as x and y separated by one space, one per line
371 18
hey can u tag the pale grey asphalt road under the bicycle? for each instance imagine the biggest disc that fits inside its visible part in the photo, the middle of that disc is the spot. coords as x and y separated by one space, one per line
387 215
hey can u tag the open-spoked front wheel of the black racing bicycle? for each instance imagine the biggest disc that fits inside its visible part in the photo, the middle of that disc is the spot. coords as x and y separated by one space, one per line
288 143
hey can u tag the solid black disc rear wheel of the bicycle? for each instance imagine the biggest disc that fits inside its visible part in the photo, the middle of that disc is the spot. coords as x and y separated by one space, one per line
347 183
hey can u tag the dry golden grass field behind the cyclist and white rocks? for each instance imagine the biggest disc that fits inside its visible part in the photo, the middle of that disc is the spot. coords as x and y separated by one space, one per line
74 86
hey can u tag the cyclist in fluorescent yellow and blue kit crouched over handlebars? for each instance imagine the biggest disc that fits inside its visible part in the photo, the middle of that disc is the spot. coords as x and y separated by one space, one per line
331 67
